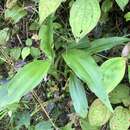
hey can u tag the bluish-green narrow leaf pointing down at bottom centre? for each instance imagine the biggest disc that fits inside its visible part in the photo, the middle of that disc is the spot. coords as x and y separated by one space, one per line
78 96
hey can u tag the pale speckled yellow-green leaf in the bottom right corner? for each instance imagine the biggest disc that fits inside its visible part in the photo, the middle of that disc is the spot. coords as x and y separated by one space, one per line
120 119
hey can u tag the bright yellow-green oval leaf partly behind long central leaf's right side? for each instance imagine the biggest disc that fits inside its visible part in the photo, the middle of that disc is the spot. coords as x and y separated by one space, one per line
113 71
